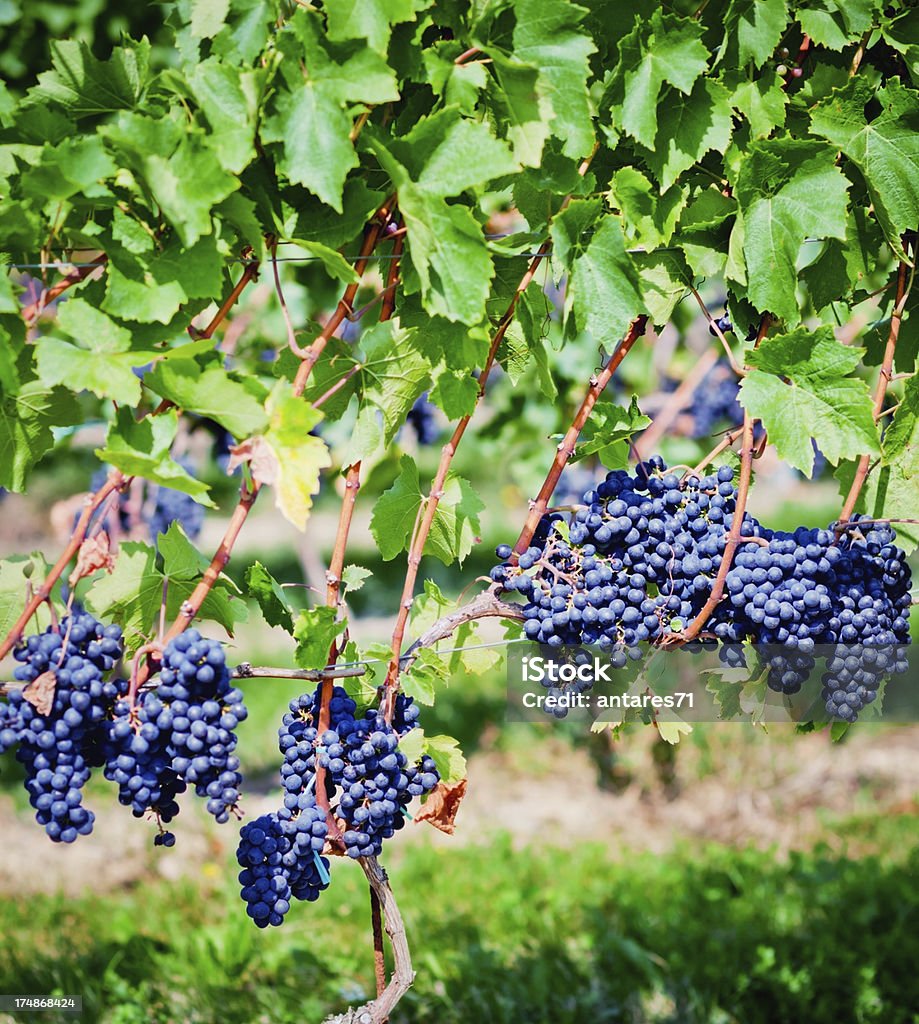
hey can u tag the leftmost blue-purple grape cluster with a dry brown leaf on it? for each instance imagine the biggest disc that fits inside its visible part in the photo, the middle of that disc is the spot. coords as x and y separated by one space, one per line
60 749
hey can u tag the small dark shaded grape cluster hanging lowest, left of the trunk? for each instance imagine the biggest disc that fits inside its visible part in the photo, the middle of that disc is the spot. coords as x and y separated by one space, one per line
280 857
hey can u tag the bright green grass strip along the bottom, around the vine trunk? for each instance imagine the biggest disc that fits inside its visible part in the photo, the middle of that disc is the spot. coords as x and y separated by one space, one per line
505 935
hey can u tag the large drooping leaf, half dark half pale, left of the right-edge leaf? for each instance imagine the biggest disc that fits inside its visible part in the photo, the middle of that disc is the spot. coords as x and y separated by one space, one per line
787 192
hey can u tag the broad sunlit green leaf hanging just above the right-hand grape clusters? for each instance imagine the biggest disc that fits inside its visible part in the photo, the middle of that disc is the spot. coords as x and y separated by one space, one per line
802 390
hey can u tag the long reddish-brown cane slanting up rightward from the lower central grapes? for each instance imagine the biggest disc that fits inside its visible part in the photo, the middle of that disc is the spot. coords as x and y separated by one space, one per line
437 492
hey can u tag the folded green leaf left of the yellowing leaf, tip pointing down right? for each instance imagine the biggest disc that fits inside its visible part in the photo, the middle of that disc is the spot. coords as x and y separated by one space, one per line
142 448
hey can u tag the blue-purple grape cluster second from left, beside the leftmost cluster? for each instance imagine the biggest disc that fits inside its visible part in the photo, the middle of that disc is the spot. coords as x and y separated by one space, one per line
183 734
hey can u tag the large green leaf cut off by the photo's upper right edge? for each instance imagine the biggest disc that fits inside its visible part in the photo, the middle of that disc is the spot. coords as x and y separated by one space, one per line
886 150
